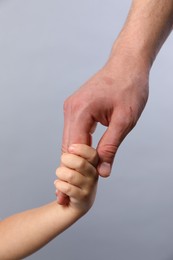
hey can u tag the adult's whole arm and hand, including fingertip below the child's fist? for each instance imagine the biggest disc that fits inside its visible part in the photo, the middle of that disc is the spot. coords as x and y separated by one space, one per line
117 94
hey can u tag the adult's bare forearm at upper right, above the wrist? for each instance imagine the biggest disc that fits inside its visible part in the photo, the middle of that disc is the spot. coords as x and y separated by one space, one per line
147 26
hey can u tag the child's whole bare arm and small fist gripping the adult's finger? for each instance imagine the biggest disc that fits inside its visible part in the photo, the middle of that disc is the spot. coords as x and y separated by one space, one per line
24 233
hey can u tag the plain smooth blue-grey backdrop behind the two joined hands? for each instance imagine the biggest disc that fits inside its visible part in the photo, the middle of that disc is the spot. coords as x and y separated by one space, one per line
47 50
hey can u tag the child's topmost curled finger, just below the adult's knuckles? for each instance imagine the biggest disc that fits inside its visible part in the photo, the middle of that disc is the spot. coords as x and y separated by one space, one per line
86 152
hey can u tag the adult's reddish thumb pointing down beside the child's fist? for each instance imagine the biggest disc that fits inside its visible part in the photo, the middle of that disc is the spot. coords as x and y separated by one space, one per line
108 146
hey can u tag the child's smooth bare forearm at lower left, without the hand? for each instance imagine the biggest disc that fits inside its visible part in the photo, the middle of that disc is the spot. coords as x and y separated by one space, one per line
24 233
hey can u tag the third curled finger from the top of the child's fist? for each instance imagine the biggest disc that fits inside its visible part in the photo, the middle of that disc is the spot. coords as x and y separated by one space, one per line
71 176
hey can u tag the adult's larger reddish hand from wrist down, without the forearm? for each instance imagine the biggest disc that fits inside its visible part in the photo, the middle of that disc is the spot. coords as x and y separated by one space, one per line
114 97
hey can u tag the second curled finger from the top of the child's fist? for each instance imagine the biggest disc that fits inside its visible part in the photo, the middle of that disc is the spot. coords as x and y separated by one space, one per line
79 164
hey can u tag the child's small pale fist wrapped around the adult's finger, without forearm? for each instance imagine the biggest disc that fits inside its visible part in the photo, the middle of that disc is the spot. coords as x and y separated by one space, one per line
77 178
